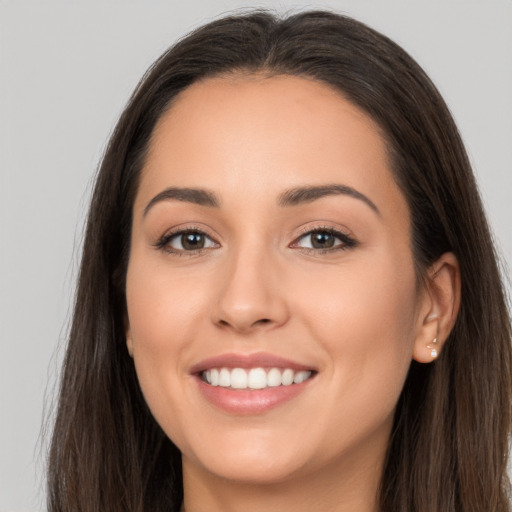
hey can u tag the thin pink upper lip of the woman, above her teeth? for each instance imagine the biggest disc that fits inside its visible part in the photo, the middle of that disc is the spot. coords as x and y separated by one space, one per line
247 361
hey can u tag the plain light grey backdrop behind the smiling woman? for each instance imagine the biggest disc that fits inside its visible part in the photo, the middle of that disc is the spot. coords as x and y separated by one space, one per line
66 70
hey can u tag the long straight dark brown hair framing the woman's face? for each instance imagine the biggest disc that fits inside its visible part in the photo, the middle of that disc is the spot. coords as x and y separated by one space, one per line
449 445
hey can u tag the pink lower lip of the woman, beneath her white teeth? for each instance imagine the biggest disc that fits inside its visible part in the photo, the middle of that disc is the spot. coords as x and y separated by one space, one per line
250 401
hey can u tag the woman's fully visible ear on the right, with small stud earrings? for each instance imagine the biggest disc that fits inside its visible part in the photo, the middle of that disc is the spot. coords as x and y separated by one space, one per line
439 308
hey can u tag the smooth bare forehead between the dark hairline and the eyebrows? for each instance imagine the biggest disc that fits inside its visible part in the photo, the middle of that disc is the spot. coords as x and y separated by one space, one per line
260 135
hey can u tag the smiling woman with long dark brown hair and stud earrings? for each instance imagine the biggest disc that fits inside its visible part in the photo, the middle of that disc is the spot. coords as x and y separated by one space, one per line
288 295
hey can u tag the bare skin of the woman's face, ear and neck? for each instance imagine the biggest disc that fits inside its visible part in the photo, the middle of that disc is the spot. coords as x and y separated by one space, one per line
355 314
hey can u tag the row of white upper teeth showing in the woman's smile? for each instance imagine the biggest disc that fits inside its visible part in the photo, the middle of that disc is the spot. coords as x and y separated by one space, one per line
255 378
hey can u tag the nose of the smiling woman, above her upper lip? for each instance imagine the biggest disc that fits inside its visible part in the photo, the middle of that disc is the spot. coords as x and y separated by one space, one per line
252 297
